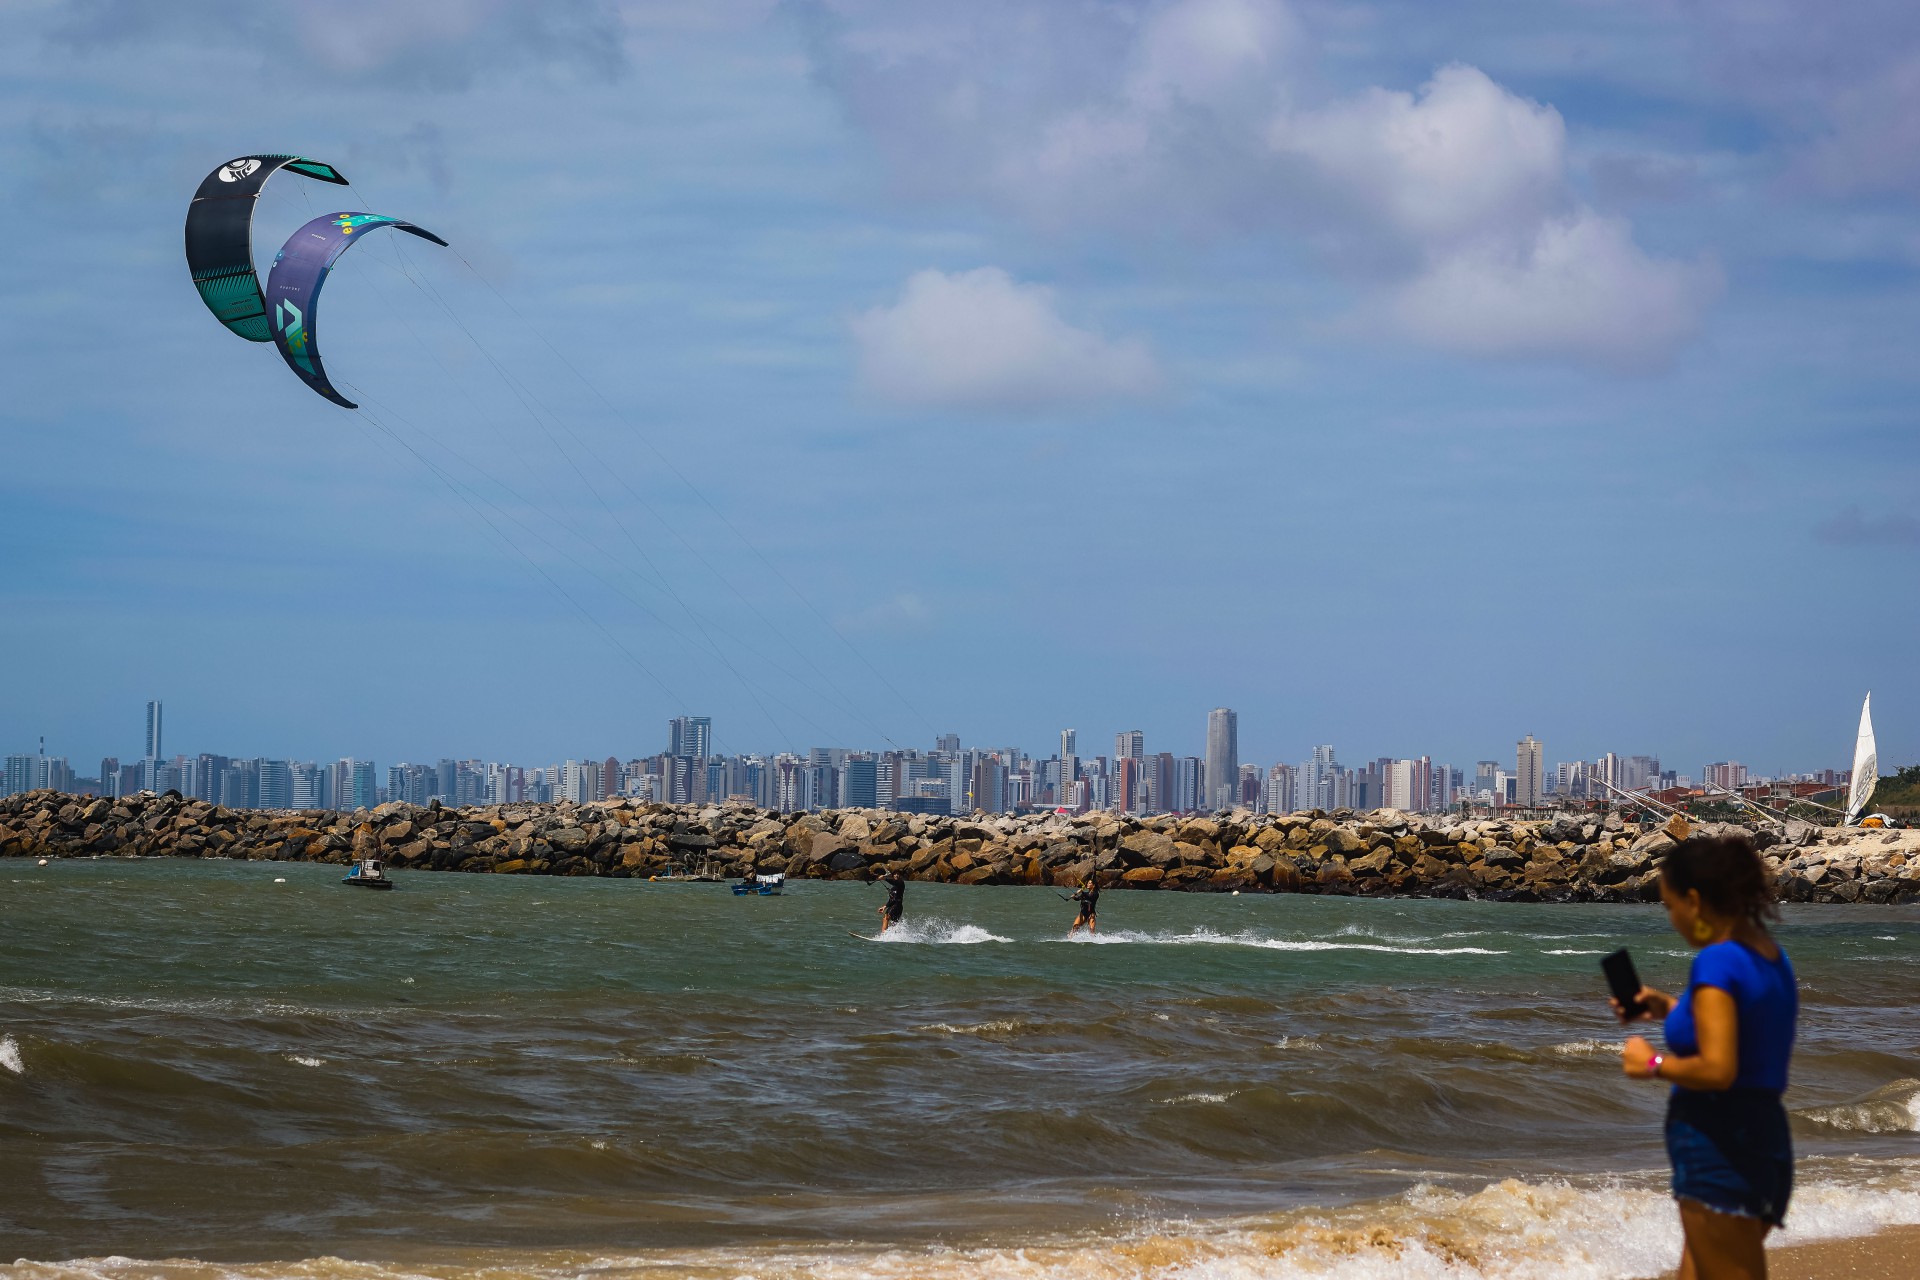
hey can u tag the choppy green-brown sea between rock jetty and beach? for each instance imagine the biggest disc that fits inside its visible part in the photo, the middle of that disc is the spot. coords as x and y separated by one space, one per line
247 1070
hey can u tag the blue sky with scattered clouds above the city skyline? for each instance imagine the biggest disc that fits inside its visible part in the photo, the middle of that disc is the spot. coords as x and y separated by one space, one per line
1408 377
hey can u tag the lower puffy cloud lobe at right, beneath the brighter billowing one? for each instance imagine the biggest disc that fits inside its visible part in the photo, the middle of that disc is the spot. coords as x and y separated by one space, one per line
1579 289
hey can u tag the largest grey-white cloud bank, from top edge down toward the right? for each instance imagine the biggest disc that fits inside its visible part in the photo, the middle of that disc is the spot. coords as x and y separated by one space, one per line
1451 206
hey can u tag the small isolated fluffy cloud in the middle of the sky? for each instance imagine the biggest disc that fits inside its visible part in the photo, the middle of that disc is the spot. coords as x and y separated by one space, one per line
982 341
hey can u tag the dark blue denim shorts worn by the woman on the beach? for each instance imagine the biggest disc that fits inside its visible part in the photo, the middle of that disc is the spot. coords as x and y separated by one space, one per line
1733 1150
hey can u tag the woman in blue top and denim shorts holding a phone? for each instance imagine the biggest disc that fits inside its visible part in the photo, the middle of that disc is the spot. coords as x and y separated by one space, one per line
1729 1041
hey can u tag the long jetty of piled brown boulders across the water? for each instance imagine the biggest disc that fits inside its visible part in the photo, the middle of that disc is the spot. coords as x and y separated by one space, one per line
1572 859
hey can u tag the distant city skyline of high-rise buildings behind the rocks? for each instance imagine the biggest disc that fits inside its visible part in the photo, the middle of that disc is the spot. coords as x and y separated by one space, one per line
921 780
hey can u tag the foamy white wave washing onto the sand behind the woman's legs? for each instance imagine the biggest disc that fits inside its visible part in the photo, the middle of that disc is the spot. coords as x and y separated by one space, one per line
1506 1231
